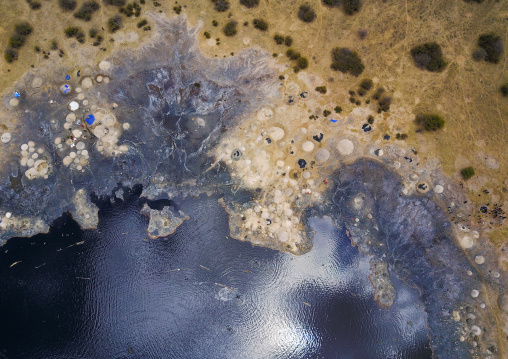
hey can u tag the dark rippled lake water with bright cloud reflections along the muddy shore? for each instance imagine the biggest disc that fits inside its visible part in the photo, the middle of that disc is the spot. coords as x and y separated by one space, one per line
196 294
